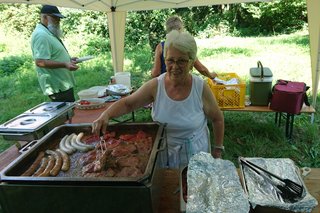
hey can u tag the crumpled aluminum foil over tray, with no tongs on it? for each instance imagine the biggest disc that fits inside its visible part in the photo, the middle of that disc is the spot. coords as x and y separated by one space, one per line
214 186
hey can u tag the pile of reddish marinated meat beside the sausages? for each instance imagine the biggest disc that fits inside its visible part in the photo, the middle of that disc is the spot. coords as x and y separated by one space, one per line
123 156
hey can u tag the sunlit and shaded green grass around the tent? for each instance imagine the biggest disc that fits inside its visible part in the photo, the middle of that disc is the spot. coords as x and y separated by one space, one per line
246 134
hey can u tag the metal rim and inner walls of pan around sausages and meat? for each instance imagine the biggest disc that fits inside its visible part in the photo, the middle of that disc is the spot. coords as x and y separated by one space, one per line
50 141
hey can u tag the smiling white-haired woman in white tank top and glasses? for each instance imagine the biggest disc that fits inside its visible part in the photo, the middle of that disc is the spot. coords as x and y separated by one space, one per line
181 100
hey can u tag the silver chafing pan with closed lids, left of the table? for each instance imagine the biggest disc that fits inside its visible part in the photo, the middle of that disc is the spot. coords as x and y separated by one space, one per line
36 122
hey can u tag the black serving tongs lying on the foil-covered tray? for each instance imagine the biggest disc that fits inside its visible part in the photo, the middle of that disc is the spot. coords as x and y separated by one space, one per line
288 189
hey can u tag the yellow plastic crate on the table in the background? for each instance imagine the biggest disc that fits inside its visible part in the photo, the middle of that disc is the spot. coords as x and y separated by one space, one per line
228 96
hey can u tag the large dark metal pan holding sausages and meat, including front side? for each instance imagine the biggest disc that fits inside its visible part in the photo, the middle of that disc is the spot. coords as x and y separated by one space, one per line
82 194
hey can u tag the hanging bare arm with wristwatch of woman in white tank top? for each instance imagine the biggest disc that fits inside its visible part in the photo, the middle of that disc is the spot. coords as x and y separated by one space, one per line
213 112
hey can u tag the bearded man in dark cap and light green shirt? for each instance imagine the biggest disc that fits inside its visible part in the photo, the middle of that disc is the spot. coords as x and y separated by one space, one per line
54 65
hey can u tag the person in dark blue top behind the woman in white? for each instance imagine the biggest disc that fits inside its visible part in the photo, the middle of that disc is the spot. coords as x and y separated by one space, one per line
174 23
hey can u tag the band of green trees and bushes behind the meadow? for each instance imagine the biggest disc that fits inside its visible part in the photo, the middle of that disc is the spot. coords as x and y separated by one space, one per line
142 27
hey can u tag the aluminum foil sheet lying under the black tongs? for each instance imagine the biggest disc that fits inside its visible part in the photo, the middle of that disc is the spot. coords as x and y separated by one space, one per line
263 193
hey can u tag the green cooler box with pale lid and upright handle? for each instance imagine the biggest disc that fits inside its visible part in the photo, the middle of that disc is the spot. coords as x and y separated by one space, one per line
260 85
